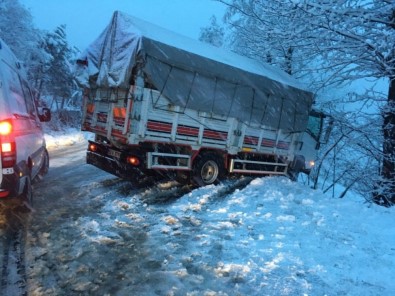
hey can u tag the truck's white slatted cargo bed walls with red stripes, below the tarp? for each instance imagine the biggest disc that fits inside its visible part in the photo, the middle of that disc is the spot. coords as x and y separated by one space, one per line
150 117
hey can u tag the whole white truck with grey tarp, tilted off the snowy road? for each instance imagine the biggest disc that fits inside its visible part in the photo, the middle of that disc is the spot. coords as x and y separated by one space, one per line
157 101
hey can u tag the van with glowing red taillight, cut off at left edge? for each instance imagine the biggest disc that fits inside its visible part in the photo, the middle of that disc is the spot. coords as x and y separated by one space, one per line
23 153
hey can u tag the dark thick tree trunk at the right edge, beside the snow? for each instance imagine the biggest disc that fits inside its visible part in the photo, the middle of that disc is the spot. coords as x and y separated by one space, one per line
385 195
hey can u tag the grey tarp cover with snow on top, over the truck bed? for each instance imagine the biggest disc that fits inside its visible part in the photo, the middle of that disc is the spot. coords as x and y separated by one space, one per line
194 75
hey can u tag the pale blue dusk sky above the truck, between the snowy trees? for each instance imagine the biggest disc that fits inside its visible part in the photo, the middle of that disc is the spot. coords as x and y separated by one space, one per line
86 19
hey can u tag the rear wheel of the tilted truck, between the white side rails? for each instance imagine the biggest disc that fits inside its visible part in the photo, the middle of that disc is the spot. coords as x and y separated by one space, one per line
208 169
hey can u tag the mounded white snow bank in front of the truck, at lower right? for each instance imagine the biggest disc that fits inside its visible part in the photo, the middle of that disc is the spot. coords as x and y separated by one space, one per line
277 235
